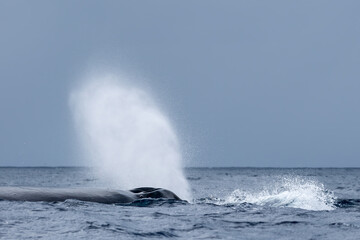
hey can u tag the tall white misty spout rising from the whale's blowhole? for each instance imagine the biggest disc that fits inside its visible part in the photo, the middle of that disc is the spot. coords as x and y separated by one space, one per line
126 137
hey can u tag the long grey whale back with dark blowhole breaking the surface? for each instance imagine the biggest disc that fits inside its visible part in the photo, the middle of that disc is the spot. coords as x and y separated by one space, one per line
35 194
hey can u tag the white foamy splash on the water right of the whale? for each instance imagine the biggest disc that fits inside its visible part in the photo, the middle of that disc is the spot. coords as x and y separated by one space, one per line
293 192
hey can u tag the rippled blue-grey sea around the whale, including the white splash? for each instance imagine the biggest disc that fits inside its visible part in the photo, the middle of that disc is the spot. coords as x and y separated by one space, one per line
228 203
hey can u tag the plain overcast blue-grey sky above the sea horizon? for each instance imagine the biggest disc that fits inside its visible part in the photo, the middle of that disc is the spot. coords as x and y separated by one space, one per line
245 83
